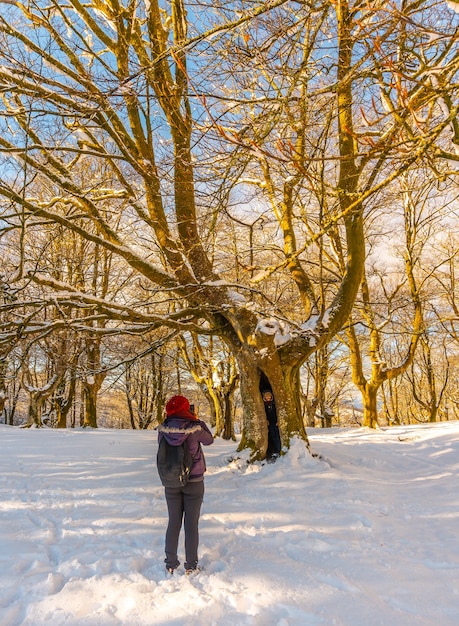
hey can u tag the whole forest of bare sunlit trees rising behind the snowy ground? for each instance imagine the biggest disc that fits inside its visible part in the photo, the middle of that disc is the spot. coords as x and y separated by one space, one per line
214 197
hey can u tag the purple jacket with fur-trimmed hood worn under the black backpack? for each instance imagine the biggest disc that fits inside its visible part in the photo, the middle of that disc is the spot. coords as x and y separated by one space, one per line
176 428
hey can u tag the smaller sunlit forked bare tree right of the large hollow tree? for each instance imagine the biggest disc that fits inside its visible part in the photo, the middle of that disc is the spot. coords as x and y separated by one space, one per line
389 320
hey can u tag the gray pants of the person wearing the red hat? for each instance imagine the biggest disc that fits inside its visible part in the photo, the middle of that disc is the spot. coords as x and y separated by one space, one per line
182 503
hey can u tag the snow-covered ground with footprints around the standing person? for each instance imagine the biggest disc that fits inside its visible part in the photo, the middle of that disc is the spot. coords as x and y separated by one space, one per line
365 534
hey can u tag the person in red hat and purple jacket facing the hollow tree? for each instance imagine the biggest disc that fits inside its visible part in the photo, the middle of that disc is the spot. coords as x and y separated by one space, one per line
184 503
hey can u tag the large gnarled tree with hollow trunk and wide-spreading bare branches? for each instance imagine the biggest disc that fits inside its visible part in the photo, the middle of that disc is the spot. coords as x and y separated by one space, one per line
307 99
